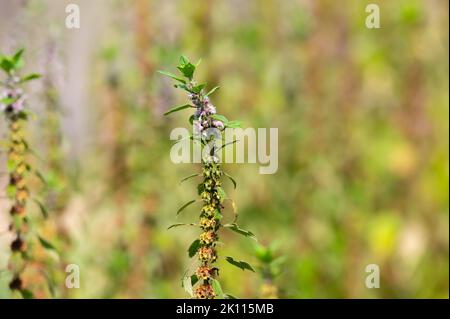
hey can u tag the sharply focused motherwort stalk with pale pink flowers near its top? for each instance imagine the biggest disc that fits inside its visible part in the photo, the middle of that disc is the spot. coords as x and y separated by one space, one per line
208 127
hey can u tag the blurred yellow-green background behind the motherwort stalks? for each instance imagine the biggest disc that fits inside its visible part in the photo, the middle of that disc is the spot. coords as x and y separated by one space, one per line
363 148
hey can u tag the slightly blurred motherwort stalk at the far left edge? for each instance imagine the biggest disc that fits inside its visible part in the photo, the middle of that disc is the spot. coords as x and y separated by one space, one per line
13 109
